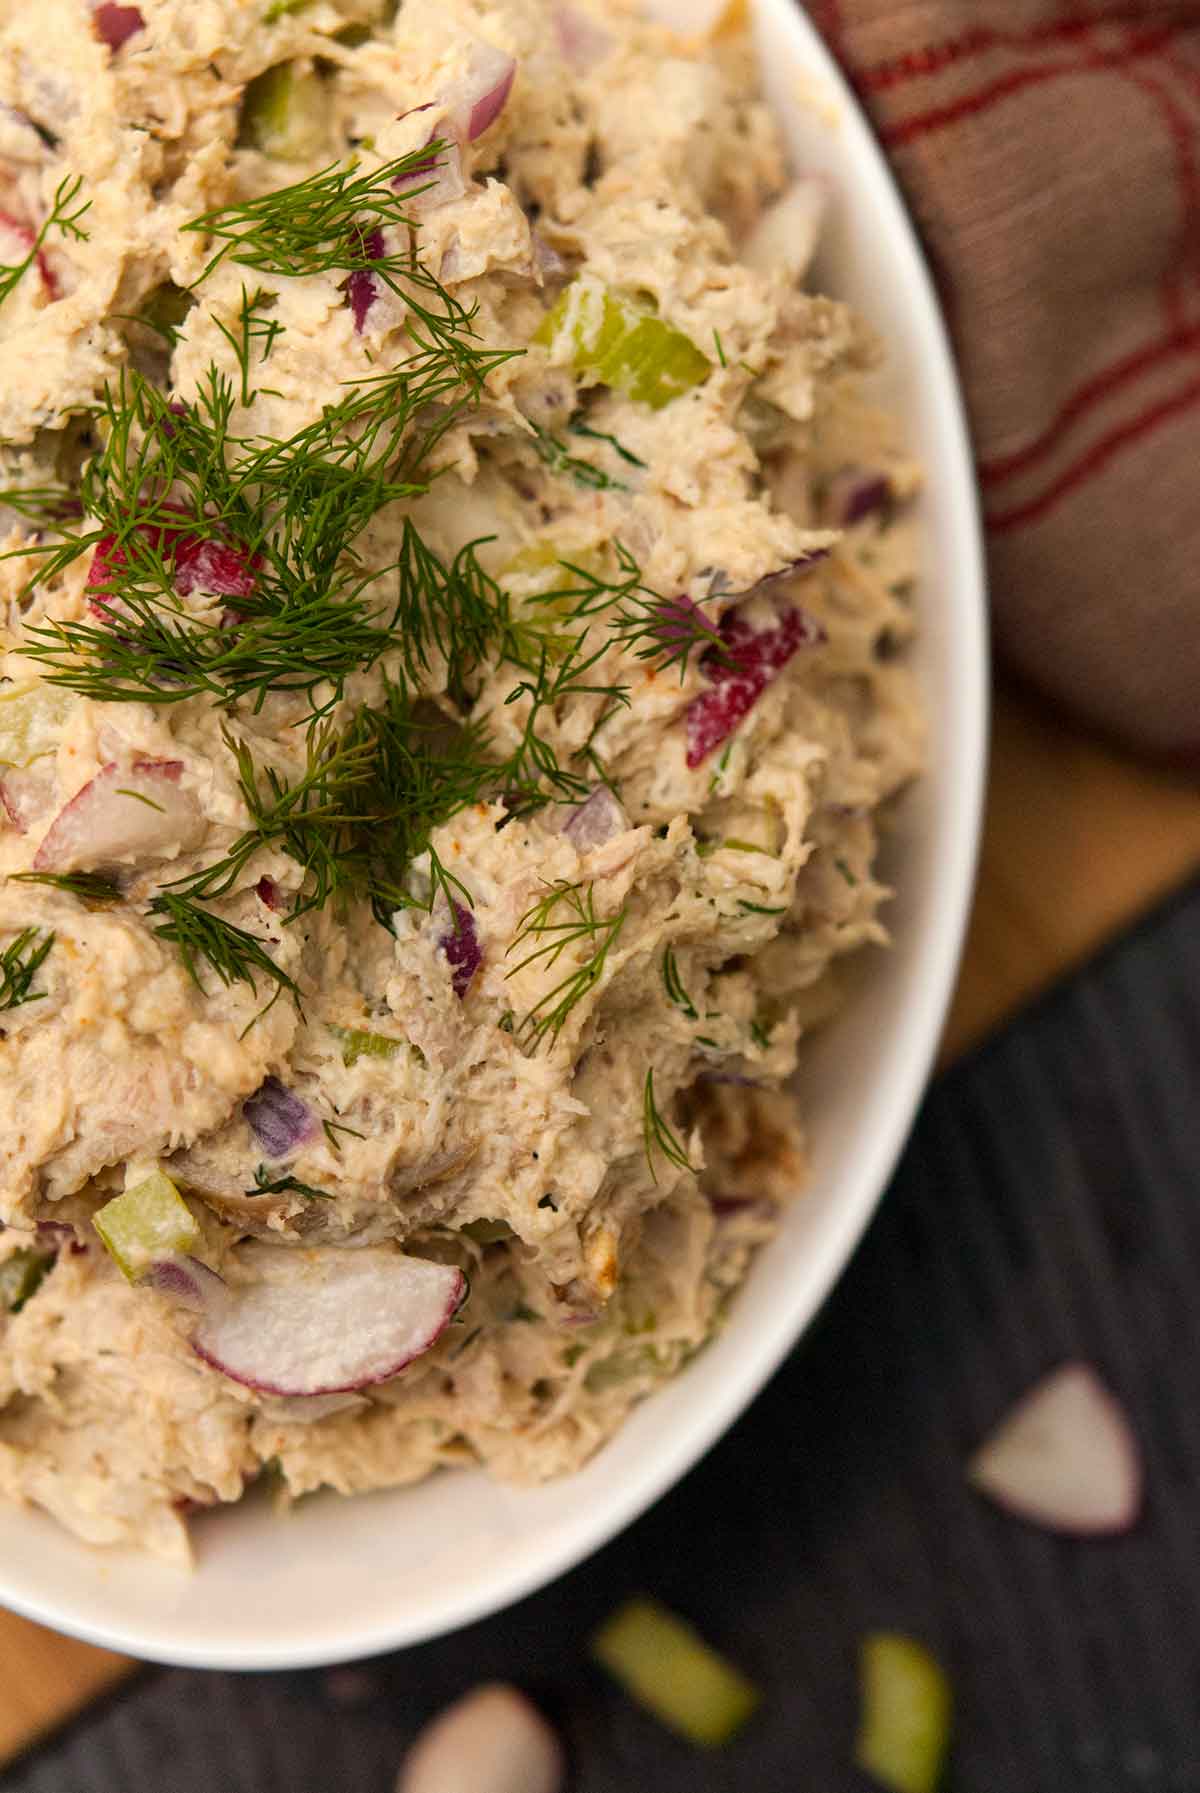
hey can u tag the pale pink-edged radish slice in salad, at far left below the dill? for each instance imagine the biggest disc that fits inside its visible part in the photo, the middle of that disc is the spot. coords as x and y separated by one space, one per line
121 817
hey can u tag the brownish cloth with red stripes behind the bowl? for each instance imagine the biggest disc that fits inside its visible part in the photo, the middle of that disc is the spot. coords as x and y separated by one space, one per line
1052 155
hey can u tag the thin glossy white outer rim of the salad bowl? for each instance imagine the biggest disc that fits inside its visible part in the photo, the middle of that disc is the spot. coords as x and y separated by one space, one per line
921 1028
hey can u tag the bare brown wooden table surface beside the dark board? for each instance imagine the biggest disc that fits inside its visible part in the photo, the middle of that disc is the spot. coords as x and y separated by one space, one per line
1079 842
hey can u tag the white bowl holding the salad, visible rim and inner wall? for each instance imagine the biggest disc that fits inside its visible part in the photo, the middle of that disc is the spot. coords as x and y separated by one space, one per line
347 1579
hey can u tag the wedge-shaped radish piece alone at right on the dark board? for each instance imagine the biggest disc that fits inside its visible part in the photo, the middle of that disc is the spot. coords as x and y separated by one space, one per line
1065 1459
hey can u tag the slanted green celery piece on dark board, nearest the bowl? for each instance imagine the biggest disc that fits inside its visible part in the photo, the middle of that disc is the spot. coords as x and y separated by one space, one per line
670 1670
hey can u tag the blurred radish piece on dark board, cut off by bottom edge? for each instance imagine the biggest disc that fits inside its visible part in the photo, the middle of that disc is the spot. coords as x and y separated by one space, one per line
489 1742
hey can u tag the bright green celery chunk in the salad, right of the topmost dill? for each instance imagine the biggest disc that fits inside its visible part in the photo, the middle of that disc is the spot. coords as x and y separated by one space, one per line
622 343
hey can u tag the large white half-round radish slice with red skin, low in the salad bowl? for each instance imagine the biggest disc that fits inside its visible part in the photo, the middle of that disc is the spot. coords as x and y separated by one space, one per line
320 1322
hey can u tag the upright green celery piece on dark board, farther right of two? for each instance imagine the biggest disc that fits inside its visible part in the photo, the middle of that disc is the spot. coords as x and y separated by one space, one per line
905 1731
